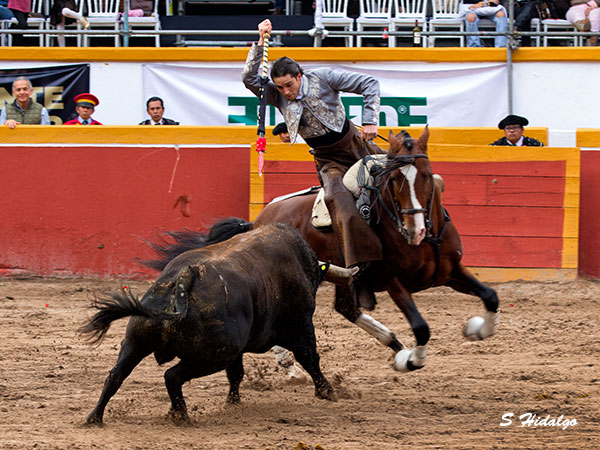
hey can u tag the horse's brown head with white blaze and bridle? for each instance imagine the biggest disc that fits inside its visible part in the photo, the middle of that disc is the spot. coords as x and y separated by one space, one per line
411 183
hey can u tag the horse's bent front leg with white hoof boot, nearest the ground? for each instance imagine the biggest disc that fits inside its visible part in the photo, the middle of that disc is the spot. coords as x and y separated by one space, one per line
407 360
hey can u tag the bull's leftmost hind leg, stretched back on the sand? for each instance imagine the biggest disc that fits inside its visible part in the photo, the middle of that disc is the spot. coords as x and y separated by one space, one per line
129 357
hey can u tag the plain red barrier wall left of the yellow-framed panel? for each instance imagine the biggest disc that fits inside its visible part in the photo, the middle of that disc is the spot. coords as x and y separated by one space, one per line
85 210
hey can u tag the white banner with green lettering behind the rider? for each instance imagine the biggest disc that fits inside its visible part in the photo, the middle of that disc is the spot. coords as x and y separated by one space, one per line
442 95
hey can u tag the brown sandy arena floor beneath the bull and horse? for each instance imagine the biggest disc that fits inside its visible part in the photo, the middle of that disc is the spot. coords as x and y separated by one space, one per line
545 360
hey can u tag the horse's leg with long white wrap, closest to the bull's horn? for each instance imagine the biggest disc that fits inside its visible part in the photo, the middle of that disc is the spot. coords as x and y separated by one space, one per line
346 306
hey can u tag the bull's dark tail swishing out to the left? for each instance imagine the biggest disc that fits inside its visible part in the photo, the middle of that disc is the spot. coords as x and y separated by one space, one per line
114 306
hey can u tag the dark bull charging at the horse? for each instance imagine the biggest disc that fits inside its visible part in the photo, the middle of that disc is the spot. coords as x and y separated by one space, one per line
213 304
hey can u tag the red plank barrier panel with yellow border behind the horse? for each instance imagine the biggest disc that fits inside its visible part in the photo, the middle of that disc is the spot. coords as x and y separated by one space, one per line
516 208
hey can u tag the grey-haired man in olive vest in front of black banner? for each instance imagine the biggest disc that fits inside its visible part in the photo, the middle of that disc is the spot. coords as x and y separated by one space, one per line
23 110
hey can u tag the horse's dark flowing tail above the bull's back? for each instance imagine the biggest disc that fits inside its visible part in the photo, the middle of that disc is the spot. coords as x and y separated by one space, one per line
189 240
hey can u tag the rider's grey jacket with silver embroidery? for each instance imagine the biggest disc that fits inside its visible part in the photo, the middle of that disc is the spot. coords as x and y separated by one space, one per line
320 105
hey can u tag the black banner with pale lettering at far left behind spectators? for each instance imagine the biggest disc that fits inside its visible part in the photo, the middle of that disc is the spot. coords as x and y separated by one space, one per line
53 87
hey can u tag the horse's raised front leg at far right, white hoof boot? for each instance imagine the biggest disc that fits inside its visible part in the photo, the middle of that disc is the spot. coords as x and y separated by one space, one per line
477 328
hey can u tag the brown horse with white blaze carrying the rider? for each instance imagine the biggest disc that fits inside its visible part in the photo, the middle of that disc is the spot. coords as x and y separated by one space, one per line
421 247
